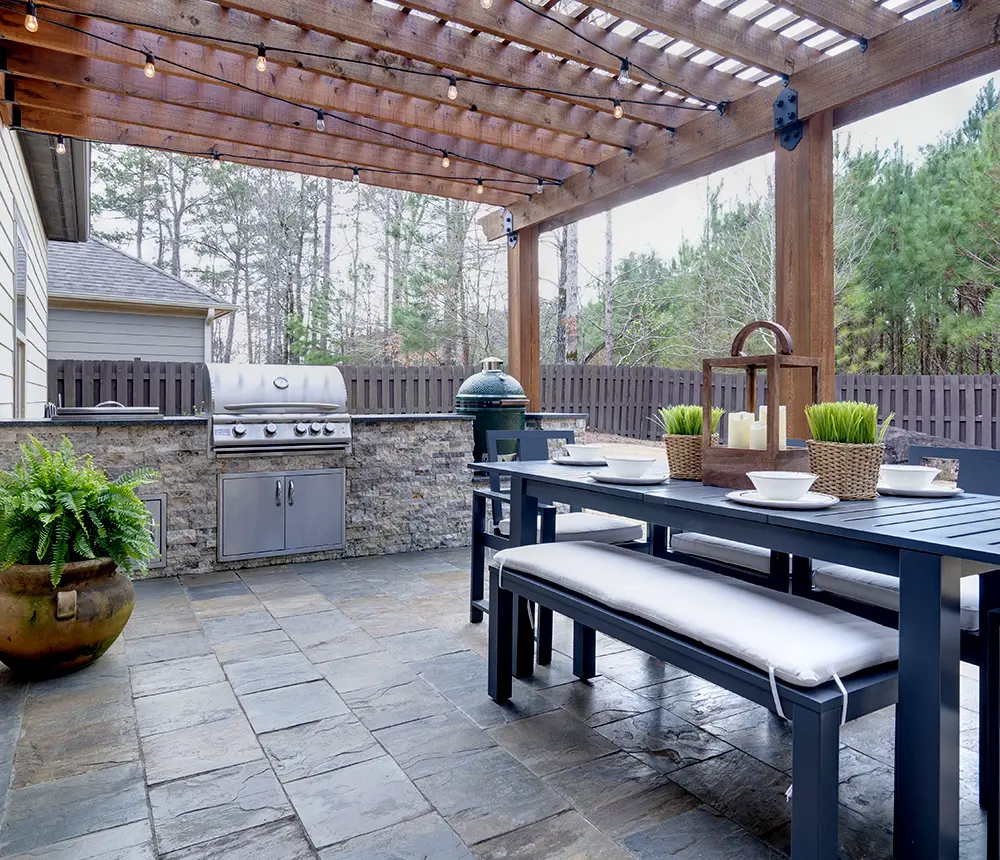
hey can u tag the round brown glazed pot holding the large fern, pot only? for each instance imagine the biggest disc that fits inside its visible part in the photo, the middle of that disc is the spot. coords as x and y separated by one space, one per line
48 631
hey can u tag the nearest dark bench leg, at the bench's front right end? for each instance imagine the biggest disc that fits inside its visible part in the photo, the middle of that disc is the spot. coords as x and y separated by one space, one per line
815 768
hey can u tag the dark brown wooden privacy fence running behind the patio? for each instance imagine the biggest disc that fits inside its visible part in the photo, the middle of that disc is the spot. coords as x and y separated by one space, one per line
619 400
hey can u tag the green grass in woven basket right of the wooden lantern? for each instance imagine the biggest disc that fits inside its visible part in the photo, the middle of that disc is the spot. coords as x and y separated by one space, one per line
846 448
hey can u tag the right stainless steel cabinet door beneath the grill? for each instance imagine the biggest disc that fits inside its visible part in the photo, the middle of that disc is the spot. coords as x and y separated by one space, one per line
314 510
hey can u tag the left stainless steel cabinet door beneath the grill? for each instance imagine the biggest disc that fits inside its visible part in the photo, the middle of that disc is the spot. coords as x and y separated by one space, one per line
252 520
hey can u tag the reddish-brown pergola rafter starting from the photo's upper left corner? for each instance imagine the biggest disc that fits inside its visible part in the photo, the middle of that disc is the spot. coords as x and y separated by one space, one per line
99 38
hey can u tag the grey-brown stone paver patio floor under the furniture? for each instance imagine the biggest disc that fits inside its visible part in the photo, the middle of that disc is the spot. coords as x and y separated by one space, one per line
339 710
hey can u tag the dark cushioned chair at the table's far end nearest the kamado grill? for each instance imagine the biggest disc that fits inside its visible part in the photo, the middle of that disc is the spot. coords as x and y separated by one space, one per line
493 531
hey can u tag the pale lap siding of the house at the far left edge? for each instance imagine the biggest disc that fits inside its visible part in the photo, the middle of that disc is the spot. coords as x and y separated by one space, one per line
19 215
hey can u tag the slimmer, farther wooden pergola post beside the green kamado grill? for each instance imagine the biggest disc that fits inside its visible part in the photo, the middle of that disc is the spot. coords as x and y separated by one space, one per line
523 344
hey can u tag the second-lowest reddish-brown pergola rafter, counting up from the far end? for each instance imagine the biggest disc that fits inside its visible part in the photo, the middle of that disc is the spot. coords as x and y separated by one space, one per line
228 132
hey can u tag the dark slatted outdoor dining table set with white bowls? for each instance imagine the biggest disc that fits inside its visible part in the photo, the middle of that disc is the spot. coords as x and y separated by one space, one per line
929 543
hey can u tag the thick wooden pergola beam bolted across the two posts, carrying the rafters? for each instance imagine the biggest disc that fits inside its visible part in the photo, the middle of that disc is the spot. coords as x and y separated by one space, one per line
920 48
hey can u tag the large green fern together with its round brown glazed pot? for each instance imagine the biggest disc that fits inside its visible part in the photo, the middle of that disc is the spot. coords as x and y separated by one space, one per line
69 539
